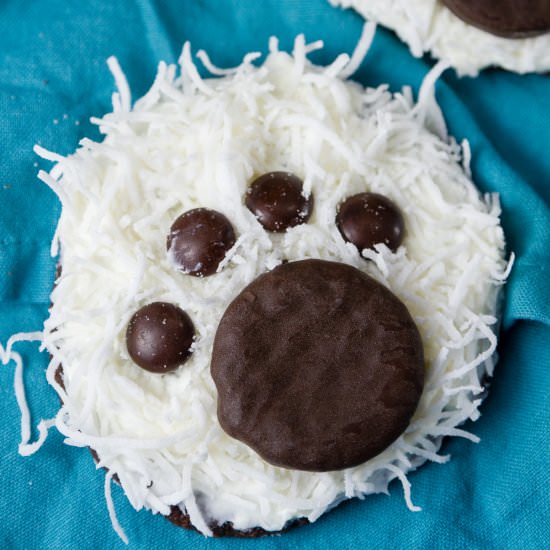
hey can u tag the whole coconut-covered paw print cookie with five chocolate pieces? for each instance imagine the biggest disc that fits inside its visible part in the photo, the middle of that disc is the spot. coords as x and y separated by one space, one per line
278 291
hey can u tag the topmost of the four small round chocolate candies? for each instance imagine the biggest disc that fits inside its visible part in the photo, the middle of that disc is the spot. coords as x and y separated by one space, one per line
277 200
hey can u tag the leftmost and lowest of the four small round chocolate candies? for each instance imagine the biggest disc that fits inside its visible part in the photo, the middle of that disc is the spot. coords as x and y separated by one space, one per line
159 337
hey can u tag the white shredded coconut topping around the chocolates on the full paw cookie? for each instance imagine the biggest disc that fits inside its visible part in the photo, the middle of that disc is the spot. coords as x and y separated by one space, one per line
193 142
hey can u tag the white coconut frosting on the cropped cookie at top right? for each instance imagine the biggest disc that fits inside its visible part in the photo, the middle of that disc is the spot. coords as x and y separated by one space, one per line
429 26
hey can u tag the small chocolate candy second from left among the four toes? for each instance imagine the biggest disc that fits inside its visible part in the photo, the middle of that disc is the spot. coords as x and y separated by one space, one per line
199 240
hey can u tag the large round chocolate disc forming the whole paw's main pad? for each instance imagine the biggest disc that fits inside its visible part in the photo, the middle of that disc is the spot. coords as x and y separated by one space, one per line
318 366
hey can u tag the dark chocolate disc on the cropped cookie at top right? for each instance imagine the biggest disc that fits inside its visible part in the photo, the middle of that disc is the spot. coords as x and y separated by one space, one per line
508 18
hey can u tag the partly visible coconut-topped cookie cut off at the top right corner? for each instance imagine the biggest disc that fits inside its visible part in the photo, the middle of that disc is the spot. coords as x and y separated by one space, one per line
469 35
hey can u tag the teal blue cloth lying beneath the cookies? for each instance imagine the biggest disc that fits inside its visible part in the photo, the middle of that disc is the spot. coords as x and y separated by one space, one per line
53 77
